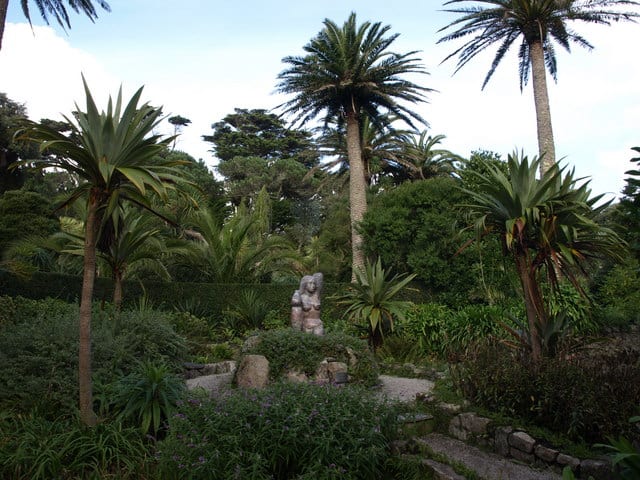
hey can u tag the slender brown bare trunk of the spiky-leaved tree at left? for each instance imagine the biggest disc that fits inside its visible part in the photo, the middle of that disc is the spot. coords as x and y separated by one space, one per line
87 414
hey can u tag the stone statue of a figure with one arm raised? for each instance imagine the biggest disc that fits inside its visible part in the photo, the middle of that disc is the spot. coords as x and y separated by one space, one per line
305 305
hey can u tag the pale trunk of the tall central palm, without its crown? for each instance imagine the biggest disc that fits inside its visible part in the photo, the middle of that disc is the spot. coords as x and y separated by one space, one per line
357 192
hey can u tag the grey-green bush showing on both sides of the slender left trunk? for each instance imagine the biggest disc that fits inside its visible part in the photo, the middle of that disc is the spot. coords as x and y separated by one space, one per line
39 353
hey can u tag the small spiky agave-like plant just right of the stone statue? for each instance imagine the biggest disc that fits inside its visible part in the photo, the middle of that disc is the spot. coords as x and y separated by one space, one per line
371 300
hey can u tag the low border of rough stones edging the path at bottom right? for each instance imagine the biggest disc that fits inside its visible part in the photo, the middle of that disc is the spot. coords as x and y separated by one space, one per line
519 445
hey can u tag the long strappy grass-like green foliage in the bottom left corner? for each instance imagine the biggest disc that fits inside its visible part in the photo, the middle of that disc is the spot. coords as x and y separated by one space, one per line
33 448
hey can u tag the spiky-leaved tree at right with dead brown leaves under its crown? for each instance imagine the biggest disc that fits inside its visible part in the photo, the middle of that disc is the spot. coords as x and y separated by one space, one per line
547 225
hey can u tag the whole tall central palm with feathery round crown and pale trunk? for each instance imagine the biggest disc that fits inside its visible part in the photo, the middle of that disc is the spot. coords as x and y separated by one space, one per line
347 73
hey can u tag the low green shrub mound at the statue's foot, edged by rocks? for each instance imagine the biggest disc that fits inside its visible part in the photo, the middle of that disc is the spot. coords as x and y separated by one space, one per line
294 350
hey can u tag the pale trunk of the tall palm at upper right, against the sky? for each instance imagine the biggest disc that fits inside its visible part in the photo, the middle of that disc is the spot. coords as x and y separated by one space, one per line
546 145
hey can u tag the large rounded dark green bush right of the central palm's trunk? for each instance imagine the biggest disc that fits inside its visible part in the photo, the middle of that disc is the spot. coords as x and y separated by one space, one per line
414 228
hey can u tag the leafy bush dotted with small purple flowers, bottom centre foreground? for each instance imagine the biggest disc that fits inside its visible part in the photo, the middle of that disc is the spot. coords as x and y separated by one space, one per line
285 431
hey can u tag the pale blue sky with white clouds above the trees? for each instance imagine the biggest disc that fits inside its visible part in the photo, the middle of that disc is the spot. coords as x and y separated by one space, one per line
201 59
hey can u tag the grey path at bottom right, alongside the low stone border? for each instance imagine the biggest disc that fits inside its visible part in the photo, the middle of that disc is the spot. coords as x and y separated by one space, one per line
488 466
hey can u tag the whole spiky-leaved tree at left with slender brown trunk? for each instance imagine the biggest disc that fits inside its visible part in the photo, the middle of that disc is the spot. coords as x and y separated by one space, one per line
114 154
